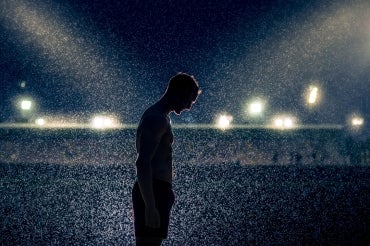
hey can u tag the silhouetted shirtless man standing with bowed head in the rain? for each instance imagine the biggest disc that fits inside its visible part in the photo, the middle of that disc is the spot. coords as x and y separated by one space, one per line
152 193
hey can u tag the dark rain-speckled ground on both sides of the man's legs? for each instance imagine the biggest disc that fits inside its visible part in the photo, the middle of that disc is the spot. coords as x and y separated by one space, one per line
220 204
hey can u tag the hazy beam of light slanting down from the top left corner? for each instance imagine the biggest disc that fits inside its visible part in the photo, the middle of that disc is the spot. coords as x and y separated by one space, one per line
69 50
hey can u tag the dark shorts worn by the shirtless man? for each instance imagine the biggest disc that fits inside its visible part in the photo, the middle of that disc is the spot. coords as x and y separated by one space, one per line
164 199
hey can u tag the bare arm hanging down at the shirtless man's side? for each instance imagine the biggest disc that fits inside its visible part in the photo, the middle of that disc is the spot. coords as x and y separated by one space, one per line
152 129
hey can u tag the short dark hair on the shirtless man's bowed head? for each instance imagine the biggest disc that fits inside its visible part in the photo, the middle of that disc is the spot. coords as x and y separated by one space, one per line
183 83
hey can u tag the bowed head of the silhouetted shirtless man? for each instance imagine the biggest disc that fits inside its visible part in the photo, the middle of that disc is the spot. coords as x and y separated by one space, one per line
183 90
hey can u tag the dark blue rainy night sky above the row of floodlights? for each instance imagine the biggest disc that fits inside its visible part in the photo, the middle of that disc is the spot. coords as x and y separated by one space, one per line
84 57
